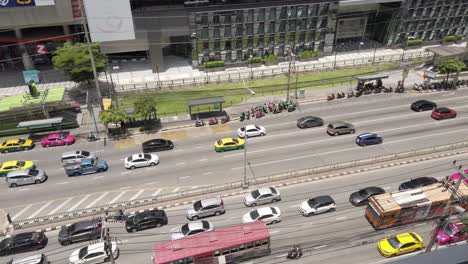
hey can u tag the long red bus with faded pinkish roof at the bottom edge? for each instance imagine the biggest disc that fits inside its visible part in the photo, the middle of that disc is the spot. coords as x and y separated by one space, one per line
224 245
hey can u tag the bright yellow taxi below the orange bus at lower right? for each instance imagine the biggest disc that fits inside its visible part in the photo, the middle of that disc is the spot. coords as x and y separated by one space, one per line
400 244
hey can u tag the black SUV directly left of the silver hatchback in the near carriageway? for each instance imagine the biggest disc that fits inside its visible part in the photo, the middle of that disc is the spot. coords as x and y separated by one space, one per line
146 220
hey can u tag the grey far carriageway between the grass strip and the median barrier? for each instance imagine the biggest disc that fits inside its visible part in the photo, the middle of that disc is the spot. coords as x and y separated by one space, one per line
193 162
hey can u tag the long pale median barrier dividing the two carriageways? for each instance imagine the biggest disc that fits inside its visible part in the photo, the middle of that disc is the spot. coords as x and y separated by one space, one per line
234 185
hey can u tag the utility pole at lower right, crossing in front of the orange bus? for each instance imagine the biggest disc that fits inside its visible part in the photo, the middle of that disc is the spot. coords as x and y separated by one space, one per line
443 220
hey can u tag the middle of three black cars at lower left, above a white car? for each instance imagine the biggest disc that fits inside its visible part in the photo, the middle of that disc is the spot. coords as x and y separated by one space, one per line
80 231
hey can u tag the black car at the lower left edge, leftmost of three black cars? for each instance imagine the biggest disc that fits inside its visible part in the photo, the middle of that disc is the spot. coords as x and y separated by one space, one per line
23 242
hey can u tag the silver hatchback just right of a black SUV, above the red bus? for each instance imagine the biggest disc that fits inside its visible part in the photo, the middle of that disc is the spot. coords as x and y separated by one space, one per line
206 207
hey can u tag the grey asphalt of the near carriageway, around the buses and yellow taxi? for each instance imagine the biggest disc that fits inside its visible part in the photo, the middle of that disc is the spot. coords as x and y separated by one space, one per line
342 236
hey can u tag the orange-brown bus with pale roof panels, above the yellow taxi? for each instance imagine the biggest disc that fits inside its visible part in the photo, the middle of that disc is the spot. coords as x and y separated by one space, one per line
399 208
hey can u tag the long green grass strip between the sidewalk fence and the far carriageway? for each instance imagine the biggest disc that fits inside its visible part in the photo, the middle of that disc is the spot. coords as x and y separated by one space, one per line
175 102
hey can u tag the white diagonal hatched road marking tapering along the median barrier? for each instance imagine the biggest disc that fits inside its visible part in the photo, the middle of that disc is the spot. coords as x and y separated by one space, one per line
69 204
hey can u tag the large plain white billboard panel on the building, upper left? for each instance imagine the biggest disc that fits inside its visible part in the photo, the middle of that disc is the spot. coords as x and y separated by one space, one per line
109 20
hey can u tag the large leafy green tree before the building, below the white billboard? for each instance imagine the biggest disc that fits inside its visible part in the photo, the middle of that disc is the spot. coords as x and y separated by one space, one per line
74 61
